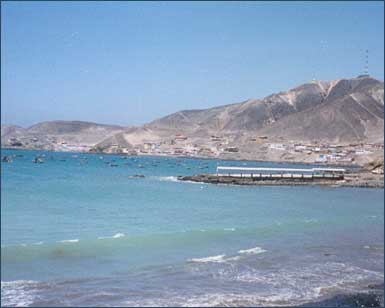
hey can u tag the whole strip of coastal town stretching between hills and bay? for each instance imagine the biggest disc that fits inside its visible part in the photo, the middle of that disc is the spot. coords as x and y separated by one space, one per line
221 147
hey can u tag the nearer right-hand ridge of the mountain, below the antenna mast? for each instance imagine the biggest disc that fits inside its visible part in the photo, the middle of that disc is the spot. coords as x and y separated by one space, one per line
353 111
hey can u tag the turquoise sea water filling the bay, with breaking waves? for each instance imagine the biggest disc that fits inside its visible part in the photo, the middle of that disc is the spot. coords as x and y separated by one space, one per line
76 231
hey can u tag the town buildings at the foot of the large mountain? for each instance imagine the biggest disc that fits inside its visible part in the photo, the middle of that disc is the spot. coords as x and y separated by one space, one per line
219 147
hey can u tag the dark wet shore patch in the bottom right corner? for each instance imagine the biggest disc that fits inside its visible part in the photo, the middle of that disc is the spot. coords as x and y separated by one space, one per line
371 299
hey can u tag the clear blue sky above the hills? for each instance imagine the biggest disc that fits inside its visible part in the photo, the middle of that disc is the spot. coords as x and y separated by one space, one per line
131 62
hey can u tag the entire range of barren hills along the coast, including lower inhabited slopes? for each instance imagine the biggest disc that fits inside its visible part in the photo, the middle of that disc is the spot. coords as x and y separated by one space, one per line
341 111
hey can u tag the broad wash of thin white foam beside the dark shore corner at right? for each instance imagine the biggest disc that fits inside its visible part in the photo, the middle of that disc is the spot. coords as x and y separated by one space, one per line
288 286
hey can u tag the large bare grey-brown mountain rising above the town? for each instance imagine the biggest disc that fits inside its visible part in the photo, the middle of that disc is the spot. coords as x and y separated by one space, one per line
344 110
